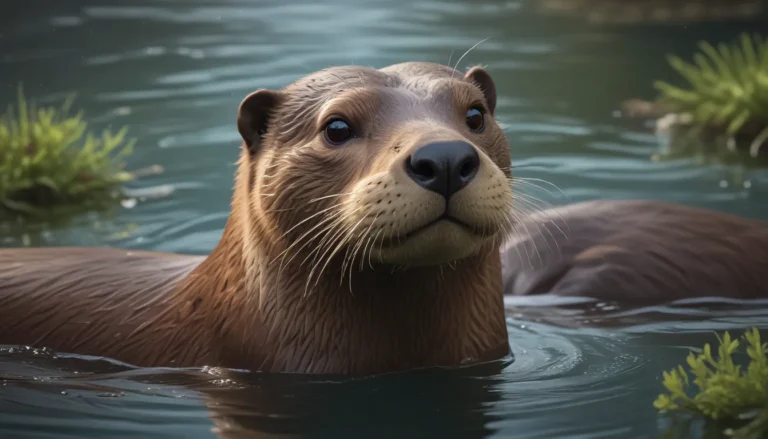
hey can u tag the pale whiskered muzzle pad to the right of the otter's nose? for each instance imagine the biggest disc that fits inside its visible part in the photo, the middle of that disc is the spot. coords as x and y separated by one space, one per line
486 202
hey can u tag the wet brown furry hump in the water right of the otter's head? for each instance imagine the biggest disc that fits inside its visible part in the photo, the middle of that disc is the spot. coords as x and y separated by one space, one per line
637 251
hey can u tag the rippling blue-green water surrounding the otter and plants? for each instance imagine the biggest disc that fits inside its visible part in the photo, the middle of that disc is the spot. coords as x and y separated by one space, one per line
175 73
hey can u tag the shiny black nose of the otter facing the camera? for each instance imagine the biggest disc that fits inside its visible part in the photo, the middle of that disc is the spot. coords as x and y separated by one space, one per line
443 167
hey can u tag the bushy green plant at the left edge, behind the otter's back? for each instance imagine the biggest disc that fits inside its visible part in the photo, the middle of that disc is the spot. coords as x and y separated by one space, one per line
49 159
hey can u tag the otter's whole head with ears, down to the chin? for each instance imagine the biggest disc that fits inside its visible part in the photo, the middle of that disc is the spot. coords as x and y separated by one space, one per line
404 165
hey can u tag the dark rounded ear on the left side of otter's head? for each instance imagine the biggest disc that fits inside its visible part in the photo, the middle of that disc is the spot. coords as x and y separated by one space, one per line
253 116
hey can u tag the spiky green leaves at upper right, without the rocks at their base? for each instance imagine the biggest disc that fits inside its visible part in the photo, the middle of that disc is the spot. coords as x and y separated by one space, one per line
726 91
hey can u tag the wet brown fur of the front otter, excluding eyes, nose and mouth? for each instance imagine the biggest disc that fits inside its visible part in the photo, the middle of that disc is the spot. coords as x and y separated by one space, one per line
310 274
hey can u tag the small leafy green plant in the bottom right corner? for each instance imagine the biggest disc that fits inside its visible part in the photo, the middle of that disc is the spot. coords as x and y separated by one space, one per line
726 390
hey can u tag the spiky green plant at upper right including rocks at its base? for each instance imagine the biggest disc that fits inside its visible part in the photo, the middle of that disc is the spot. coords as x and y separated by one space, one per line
720 110
